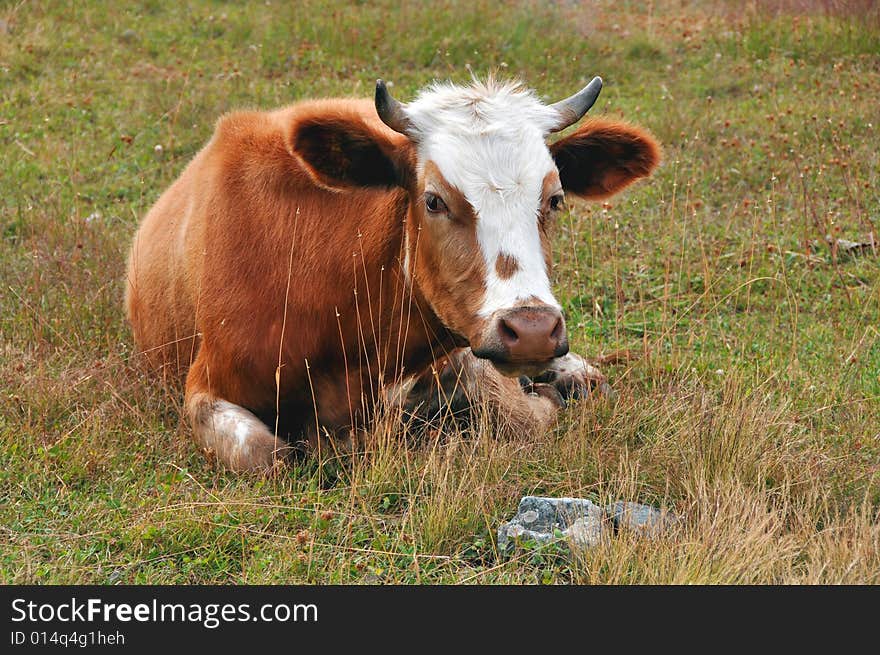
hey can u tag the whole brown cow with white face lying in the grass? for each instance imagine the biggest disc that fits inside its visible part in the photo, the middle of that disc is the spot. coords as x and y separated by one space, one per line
310 258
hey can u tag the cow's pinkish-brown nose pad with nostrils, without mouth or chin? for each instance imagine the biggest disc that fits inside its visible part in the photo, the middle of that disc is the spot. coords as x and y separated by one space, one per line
531 334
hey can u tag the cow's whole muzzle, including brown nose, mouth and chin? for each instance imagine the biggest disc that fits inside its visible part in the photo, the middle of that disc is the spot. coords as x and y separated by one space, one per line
523 340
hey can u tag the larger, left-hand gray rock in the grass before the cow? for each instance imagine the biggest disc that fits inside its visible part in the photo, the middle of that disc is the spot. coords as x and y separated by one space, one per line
542 520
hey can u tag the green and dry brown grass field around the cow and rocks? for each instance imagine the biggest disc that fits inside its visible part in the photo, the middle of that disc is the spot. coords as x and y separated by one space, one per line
734 316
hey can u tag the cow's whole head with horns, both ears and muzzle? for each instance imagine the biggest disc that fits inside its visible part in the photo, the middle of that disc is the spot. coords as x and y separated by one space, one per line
485 189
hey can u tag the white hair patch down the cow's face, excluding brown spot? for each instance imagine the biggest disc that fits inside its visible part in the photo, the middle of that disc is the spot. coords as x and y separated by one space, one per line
488 142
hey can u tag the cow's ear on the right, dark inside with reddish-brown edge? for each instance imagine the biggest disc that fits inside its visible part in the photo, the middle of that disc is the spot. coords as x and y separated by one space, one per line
602 157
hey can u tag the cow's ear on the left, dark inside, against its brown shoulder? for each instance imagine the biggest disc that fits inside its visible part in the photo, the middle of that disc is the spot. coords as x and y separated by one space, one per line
339 152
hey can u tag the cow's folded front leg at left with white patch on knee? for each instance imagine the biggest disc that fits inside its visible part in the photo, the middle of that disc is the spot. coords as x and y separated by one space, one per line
229 433
